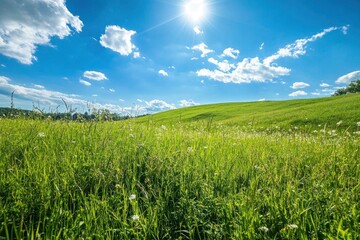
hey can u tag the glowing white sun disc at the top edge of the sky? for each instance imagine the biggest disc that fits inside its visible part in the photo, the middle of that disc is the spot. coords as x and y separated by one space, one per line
195 10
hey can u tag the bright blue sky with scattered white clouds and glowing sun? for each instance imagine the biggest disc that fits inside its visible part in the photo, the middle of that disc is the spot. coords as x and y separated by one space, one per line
145 56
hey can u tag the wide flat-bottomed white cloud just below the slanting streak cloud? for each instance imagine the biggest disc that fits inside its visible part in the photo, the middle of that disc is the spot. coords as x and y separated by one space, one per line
246 71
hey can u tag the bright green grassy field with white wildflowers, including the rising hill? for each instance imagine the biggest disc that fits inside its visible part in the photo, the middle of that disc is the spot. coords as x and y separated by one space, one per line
218 178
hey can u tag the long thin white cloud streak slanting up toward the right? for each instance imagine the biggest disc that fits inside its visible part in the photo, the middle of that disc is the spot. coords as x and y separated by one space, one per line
298 48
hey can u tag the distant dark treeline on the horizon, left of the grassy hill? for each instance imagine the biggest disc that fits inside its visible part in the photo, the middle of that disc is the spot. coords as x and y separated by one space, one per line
96 115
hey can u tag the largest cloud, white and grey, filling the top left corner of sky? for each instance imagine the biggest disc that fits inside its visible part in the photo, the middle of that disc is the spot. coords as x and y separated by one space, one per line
24 25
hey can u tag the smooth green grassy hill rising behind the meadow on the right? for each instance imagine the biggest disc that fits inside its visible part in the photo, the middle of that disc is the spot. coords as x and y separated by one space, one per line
309 112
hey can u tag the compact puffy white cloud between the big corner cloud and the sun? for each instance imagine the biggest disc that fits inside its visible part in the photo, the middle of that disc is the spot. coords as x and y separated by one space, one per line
118 39
